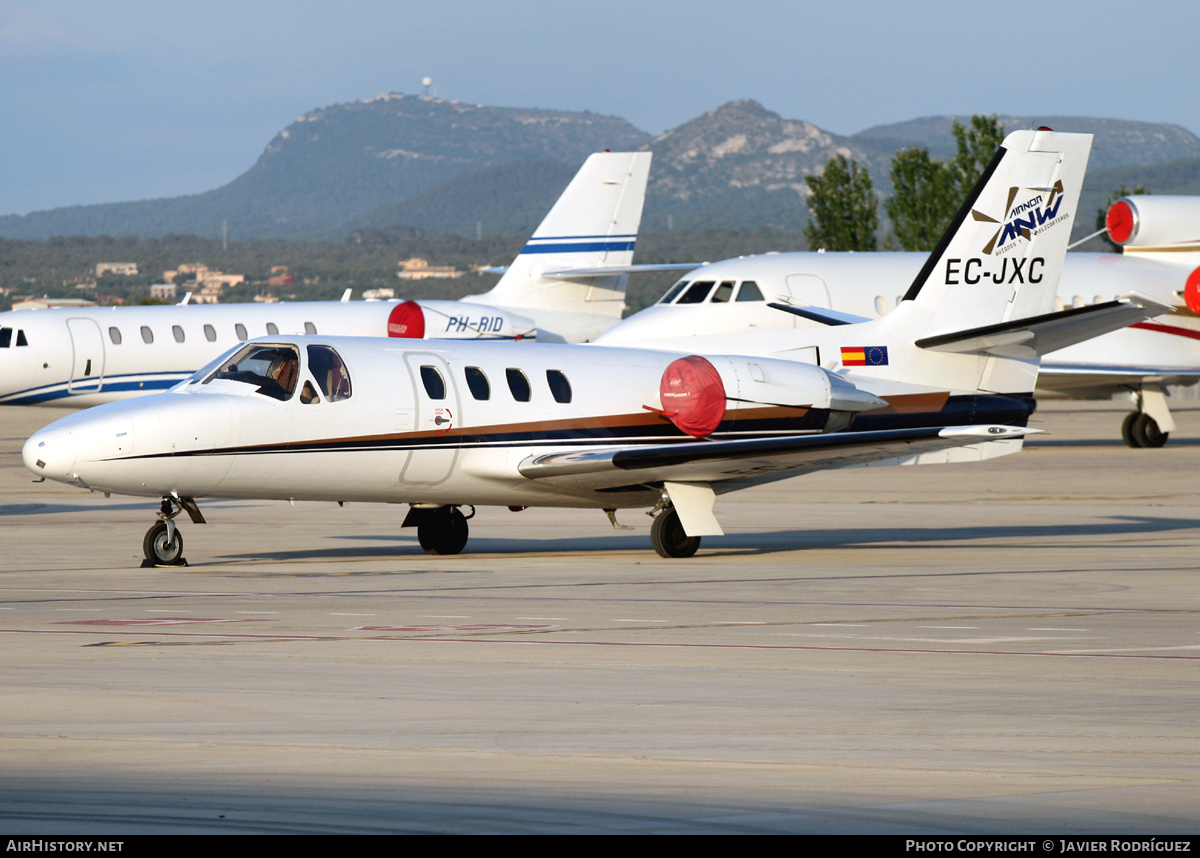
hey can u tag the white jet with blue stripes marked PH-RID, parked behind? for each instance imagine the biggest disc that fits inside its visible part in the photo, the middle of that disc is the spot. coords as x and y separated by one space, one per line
568 285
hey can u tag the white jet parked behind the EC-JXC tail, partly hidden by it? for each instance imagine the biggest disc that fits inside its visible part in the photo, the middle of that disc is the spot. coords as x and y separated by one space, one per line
1161 239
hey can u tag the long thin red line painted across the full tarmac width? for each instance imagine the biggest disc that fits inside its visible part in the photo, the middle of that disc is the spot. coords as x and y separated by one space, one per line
525 641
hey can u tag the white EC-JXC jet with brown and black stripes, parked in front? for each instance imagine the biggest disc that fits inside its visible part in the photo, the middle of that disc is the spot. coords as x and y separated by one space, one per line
445 427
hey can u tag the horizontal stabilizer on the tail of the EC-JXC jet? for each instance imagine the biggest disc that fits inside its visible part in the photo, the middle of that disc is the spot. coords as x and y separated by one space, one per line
1040 335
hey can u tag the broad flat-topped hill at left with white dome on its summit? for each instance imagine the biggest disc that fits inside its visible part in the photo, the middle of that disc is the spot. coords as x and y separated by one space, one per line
345 161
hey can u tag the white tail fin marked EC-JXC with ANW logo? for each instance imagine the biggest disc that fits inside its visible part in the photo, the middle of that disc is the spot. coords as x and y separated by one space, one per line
971 320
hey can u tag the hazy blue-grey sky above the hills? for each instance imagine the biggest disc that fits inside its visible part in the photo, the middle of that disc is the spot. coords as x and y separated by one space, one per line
141 99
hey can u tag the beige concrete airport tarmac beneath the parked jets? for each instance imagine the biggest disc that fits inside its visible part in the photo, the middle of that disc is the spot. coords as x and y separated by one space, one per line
1009 647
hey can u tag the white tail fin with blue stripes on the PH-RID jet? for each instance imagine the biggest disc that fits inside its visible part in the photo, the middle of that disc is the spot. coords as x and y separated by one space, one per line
595 224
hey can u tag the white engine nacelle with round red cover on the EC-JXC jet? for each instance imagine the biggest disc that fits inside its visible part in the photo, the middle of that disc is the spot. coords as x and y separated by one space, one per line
697 392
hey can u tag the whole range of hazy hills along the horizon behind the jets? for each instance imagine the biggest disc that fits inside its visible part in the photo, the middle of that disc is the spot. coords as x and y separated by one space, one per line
441 166
